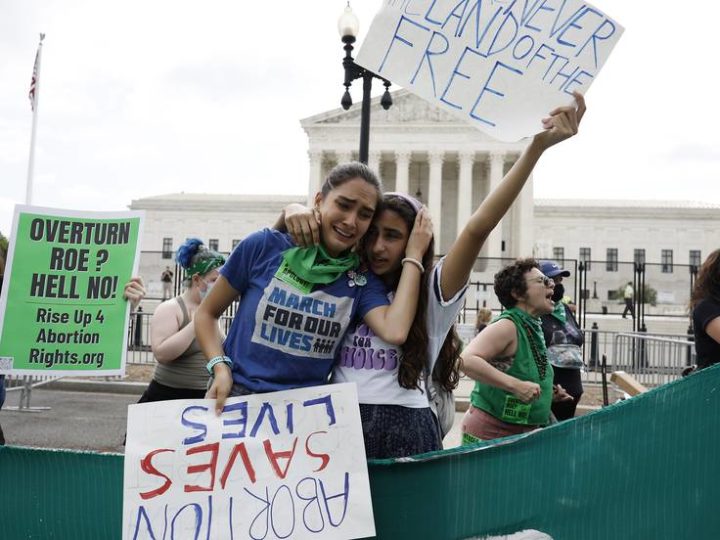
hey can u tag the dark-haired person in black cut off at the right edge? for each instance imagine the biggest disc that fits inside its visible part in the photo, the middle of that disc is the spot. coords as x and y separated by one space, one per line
705 307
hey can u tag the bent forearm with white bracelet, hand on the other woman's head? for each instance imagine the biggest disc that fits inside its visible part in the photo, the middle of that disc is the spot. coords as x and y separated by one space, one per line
392 323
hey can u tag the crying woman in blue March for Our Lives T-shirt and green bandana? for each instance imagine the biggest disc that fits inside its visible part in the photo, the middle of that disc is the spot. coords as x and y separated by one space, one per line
296 304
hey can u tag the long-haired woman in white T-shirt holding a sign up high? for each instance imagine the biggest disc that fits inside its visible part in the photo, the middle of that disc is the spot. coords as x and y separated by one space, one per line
392 380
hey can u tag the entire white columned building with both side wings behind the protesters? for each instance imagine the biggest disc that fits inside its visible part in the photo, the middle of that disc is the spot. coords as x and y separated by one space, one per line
421 150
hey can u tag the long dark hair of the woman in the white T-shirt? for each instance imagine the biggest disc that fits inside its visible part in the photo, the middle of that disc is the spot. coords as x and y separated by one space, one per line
415 349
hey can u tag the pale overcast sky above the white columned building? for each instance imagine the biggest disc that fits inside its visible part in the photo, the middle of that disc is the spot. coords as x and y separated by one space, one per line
141 98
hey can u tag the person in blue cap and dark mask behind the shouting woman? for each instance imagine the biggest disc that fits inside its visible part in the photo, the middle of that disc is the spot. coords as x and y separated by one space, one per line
564 341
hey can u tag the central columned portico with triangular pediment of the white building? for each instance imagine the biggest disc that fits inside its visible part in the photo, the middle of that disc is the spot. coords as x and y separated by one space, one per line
422 150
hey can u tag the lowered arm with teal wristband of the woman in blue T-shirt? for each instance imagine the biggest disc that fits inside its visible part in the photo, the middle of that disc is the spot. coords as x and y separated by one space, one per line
210 340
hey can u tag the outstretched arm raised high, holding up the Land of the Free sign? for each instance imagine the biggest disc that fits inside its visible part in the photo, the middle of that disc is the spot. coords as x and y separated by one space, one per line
560 125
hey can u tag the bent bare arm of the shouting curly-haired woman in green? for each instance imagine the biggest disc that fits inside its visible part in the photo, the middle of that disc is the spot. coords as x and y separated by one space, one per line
497 341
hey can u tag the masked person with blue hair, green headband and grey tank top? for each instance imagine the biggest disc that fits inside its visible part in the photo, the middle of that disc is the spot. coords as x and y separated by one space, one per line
180 371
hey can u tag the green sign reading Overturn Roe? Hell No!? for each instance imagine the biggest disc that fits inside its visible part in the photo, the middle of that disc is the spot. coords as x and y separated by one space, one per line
62 309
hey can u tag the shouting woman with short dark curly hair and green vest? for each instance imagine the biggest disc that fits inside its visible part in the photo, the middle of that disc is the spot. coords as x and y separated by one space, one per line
508 360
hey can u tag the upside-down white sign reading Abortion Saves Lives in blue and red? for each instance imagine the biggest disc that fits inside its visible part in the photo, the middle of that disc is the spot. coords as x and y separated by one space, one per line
282 465
